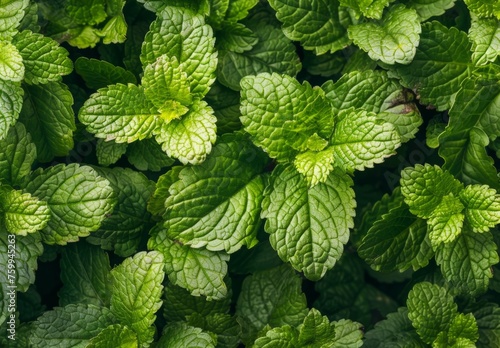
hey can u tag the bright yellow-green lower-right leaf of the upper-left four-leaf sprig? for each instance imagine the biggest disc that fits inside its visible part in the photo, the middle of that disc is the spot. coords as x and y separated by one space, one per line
190 138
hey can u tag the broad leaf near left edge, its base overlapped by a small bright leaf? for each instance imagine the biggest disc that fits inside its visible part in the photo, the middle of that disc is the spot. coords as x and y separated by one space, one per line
78 199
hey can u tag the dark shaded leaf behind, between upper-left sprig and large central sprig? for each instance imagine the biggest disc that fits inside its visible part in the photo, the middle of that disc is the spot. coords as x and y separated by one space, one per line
272 53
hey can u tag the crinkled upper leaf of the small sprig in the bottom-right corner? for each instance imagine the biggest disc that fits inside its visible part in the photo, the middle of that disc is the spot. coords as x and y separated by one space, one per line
430 309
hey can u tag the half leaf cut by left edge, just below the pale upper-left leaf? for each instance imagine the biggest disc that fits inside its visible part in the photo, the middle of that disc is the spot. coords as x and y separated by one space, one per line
11 95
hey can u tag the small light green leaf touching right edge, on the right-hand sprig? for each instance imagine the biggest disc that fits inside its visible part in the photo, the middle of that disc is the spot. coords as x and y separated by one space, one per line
482 207
